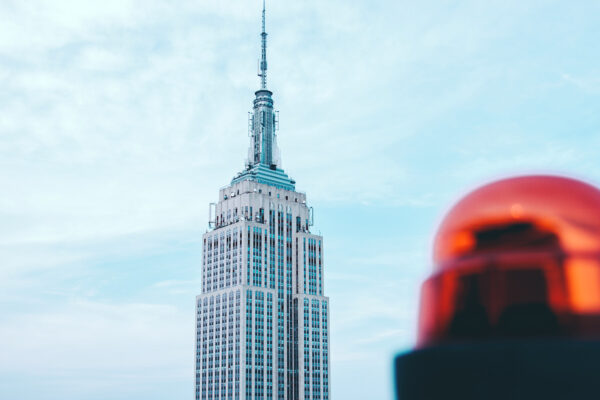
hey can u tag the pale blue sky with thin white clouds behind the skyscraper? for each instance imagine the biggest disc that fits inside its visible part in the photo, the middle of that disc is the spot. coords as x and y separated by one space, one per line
121 119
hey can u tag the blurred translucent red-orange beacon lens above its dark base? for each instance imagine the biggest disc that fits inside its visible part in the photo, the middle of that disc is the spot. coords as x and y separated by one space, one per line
519 257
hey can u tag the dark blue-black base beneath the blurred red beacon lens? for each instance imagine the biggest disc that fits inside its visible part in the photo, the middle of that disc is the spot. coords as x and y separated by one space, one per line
503 370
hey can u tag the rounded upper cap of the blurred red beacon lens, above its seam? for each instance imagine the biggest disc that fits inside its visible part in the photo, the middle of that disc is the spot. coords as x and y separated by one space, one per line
550 205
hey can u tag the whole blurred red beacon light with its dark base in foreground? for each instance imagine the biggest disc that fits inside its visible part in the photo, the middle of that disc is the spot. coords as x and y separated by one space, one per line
512 310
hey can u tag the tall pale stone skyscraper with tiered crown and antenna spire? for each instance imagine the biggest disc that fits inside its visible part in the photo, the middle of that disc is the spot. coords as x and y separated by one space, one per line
262 320
